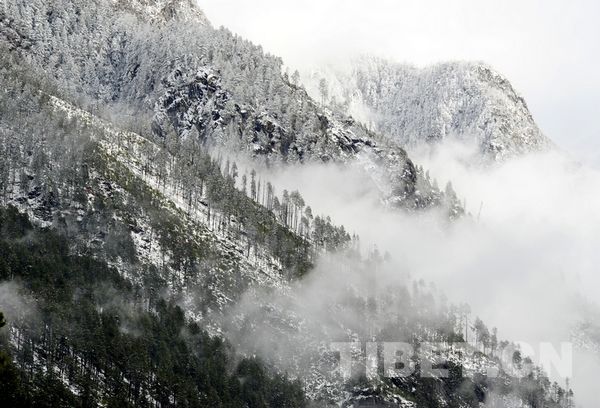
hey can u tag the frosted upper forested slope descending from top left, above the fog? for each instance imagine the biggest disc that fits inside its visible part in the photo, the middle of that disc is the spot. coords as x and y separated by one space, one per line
191 77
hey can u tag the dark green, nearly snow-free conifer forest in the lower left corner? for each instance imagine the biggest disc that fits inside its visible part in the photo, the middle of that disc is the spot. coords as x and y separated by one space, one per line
90 339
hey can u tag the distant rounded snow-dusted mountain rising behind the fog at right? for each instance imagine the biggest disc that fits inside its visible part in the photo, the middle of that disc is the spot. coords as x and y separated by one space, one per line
463 100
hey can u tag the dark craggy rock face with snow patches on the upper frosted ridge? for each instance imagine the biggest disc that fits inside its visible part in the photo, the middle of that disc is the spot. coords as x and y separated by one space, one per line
197 105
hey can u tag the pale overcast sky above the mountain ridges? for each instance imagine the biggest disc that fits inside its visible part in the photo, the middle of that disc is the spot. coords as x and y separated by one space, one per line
548 49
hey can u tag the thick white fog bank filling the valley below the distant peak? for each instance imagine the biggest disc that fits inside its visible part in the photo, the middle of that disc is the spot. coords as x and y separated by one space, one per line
525 257
